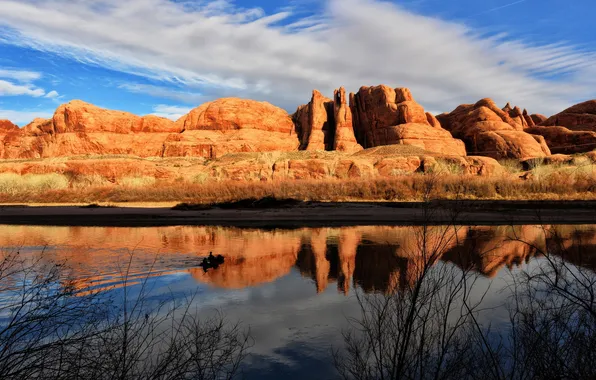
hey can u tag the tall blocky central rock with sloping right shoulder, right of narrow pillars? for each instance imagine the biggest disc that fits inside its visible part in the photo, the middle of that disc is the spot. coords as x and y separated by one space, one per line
384 116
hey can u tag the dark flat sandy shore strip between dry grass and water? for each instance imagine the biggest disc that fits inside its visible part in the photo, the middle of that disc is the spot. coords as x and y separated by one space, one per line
313 214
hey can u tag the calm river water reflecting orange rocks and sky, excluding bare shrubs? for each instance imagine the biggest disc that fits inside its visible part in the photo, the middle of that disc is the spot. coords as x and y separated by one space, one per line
294 288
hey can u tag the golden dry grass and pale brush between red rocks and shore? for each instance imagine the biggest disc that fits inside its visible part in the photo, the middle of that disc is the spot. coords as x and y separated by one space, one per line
557 181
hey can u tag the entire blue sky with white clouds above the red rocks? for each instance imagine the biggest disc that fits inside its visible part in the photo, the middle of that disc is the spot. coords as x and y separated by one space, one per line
165 57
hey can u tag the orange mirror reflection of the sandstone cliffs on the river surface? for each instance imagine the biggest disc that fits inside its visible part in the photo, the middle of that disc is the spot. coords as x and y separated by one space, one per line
375 259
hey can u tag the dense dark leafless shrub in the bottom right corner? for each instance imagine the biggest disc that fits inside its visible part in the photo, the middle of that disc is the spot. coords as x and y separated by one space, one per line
552 331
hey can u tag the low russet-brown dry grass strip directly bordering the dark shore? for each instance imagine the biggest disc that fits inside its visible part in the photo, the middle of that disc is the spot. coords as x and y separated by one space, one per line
561 184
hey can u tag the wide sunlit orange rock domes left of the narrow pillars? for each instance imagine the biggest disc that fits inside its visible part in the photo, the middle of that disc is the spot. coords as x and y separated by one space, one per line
211 130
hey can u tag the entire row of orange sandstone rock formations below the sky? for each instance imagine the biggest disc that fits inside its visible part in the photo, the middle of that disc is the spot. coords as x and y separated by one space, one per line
373 117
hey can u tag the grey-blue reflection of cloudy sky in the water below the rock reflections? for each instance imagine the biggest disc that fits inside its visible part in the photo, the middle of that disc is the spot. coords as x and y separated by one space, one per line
294 328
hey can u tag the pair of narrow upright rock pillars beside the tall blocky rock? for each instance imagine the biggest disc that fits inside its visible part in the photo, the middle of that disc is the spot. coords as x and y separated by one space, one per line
325 124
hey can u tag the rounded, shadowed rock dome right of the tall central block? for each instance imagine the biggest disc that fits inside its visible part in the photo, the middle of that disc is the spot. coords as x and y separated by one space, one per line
493 132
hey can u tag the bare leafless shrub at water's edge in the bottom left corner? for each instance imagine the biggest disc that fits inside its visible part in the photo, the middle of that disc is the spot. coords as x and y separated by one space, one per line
52 330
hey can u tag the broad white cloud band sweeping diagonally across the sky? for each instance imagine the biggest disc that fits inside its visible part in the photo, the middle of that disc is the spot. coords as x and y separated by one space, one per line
244 52
